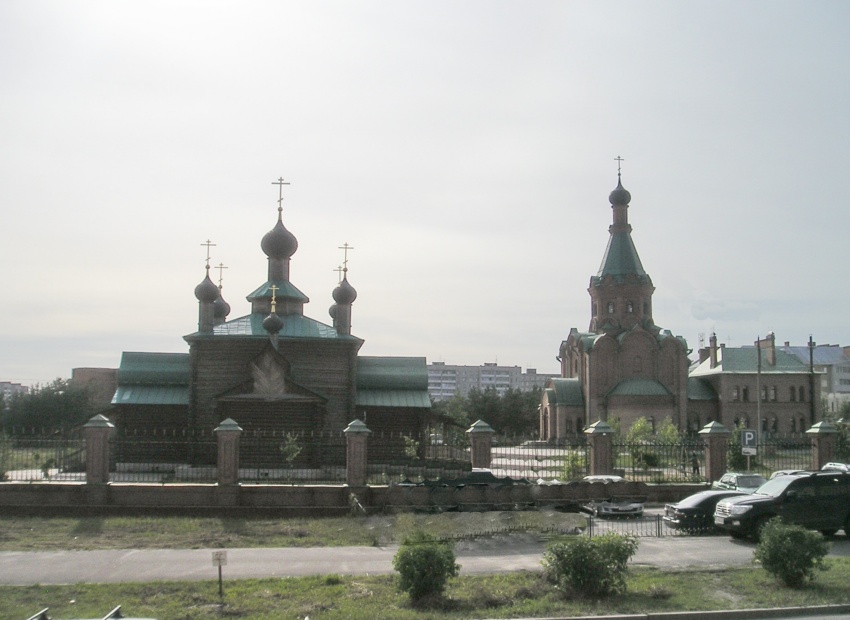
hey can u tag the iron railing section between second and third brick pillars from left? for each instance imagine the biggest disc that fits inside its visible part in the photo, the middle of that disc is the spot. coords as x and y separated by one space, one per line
278 457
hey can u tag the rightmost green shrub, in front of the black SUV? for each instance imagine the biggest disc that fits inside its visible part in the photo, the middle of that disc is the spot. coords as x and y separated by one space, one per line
790 553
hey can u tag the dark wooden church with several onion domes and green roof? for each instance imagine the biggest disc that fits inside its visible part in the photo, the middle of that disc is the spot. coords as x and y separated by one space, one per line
273 370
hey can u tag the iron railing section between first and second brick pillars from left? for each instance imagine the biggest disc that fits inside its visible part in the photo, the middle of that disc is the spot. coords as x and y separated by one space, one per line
163 455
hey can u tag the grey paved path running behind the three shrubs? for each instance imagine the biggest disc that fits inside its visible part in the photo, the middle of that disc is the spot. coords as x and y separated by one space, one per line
493 555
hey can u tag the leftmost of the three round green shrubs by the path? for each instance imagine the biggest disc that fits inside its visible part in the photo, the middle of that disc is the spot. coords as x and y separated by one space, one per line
424 565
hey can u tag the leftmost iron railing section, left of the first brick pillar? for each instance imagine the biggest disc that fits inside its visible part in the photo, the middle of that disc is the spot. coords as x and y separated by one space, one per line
33 455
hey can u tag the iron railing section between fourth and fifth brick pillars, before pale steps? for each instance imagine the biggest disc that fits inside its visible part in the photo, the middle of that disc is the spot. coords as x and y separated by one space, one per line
540 460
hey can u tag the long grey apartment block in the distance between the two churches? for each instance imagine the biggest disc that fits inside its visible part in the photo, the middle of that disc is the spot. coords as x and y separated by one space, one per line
446 380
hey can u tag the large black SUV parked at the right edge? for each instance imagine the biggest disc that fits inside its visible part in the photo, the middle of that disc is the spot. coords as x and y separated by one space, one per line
816 500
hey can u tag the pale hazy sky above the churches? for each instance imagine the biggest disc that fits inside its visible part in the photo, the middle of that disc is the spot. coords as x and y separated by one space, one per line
465 150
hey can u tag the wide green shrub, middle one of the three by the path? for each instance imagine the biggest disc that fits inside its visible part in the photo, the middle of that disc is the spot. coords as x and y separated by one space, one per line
590 567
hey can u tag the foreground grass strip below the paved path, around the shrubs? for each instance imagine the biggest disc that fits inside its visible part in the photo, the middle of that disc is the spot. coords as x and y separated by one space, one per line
523 594
